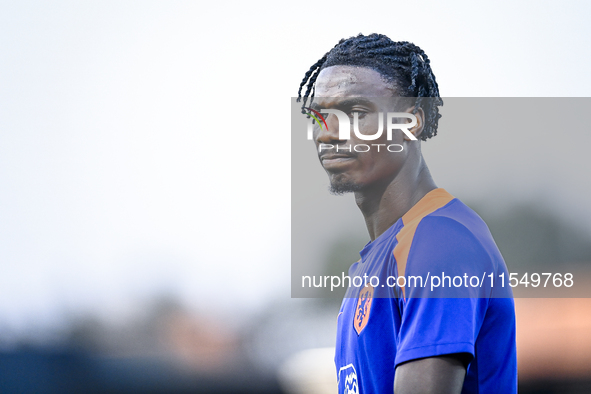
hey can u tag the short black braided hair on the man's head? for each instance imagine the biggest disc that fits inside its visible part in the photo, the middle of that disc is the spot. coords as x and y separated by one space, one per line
401 63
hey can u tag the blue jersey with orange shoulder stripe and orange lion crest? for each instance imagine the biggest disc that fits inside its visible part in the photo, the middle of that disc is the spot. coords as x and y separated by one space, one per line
398 314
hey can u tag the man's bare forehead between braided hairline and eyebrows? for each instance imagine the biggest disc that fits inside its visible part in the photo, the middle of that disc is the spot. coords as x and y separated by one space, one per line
352 81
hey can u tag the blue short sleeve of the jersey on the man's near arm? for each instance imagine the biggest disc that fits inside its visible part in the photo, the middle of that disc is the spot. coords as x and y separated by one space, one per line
444 319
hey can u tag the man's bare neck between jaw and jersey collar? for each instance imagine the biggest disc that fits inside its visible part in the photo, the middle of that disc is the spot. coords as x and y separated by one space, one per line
383 204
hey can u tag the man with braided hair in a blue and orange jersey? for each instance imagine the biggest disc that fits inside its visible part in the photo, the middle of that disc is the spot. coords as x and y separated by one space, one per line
451 338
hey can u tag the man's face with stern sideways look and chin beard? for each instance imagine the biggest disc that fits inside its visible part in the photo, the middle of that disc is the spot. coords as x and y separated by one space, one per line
363 91
